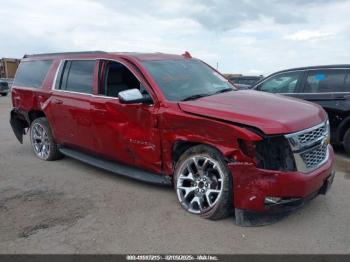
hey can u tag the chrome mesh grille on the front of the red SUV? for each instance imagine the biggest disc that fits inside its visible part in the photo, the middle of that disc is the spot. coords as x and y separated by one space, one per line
310 147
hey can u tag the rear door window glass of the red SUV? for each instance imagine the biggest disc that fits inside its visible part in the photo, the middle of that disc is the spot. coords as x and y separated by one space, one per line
77 76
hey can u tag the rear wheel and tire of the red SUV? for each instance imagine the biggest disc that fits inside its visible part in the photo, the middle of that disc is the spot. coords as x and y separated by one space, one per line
42 140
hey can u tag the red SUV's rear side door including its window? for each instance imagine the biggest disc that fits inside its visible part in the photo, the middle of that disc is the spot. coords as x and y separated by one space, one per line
69 106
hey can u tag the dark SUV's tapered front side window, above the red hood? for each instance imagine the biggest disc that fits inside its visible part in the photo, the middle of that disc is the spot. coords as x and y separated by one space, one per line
281 83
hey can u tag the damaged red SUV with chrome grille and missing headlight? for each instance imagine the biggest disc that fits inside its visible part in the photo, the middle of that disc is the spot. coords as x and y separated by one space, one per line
171 119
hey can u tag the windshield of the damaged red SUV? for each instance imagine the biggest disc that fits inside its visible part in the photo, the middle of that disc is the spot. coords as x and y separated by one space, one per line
186 79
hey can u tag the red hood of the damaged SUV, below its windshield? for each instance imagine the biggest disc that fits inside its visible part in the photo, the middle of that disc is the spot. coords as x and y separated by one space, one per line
272 114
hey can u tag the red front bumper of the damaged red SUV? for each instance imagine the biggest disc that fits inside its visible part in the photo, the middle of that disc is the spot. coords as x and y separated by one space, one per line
252 185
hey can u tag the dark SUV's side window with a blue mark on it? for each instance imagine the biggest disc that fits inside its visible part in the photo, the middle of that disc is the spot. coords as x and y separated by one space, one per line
322 81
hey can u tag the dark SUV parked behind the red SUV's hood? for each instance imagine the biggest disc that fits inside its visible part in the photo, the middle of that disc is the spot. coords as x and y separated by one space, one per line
328 86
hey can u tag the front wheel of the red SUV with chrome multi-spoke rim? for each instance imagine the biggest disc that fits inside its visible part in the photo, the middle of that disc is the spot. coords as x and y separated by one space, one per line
203 183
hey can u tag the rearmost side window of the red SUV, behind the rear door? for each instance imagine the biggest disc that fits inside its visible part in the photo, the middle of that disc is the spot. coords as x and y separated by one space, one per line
32 73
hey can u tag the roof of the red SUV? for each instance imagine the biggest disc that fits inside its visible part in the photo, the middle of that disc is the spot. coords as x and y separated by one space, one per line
139 56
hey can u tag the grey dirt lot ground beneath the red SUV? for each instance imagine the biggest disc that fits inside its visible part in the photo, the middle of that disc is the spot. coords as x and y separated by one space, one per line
70 207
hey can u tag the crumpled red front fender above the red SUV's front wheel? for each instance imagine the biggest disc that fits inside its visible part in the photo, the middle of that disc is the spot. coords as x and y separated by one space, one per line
177 126
